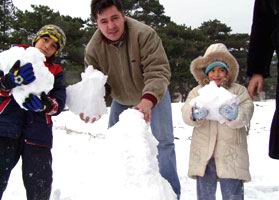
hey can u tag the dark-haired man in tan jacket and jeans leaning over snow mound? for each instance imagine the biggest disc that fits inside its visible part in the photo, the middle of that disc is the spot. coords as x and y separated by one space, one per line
132 55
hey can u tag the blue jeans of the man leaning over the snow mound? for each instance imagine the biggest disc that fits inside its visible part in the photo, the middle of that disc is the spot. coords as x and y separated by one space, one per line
162 130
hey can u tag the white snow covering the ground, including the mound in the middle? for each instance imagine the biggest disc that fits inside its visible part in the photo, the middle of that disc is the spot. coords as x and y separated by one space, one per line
80 150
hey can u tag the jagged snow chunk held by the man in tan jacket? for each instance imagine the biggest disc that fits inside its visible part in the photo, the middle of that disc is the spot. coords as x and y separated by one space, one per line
87 96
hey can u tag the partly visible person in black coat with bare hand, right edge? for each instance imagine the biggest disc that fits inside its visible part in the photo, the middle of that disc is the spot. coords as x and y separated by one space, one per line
264 40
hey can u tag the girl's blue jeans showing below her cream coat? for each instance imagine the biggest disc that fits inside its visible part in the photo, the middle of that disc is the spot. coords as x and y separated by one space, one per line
232 189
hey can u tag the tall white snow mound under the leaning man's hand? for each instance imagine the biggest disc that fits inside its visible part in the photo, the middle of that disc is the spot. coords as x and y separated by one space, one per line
130 163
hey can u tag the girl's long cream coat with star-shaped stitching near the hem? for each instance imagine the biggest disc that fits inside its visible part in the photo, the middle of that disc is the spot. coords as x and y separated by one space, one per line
225 142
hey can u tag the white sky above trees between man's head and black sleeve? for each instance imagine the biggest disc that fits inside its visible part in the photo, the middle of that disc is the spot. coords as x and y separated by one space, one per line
235 14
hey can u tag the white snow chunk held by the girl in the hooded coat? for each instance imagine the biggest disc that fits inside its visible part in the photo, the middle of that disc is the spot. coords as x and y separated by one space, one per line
212 97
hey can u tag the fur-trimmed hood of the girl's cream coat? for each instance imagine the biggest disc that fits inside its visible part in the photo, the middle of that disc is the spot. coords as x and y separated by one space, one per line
215 52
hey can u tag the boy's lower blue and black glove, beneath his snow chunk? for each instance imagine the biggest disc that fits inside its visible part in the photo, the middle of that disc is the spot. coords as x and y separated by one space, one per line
35 104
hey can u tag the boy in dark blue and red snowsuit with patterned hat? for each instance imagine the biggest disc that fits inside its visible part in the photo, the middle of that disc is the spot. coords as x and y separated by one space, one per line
28 134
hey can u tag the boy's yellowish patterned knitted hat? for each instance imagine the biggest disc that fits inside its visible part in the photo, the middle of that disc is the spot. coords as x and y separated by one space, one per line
54 32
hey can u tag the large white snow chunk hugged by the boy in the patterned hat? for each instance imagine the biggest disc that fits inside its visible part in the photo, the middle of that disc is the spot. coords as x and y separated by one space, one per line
44 78
